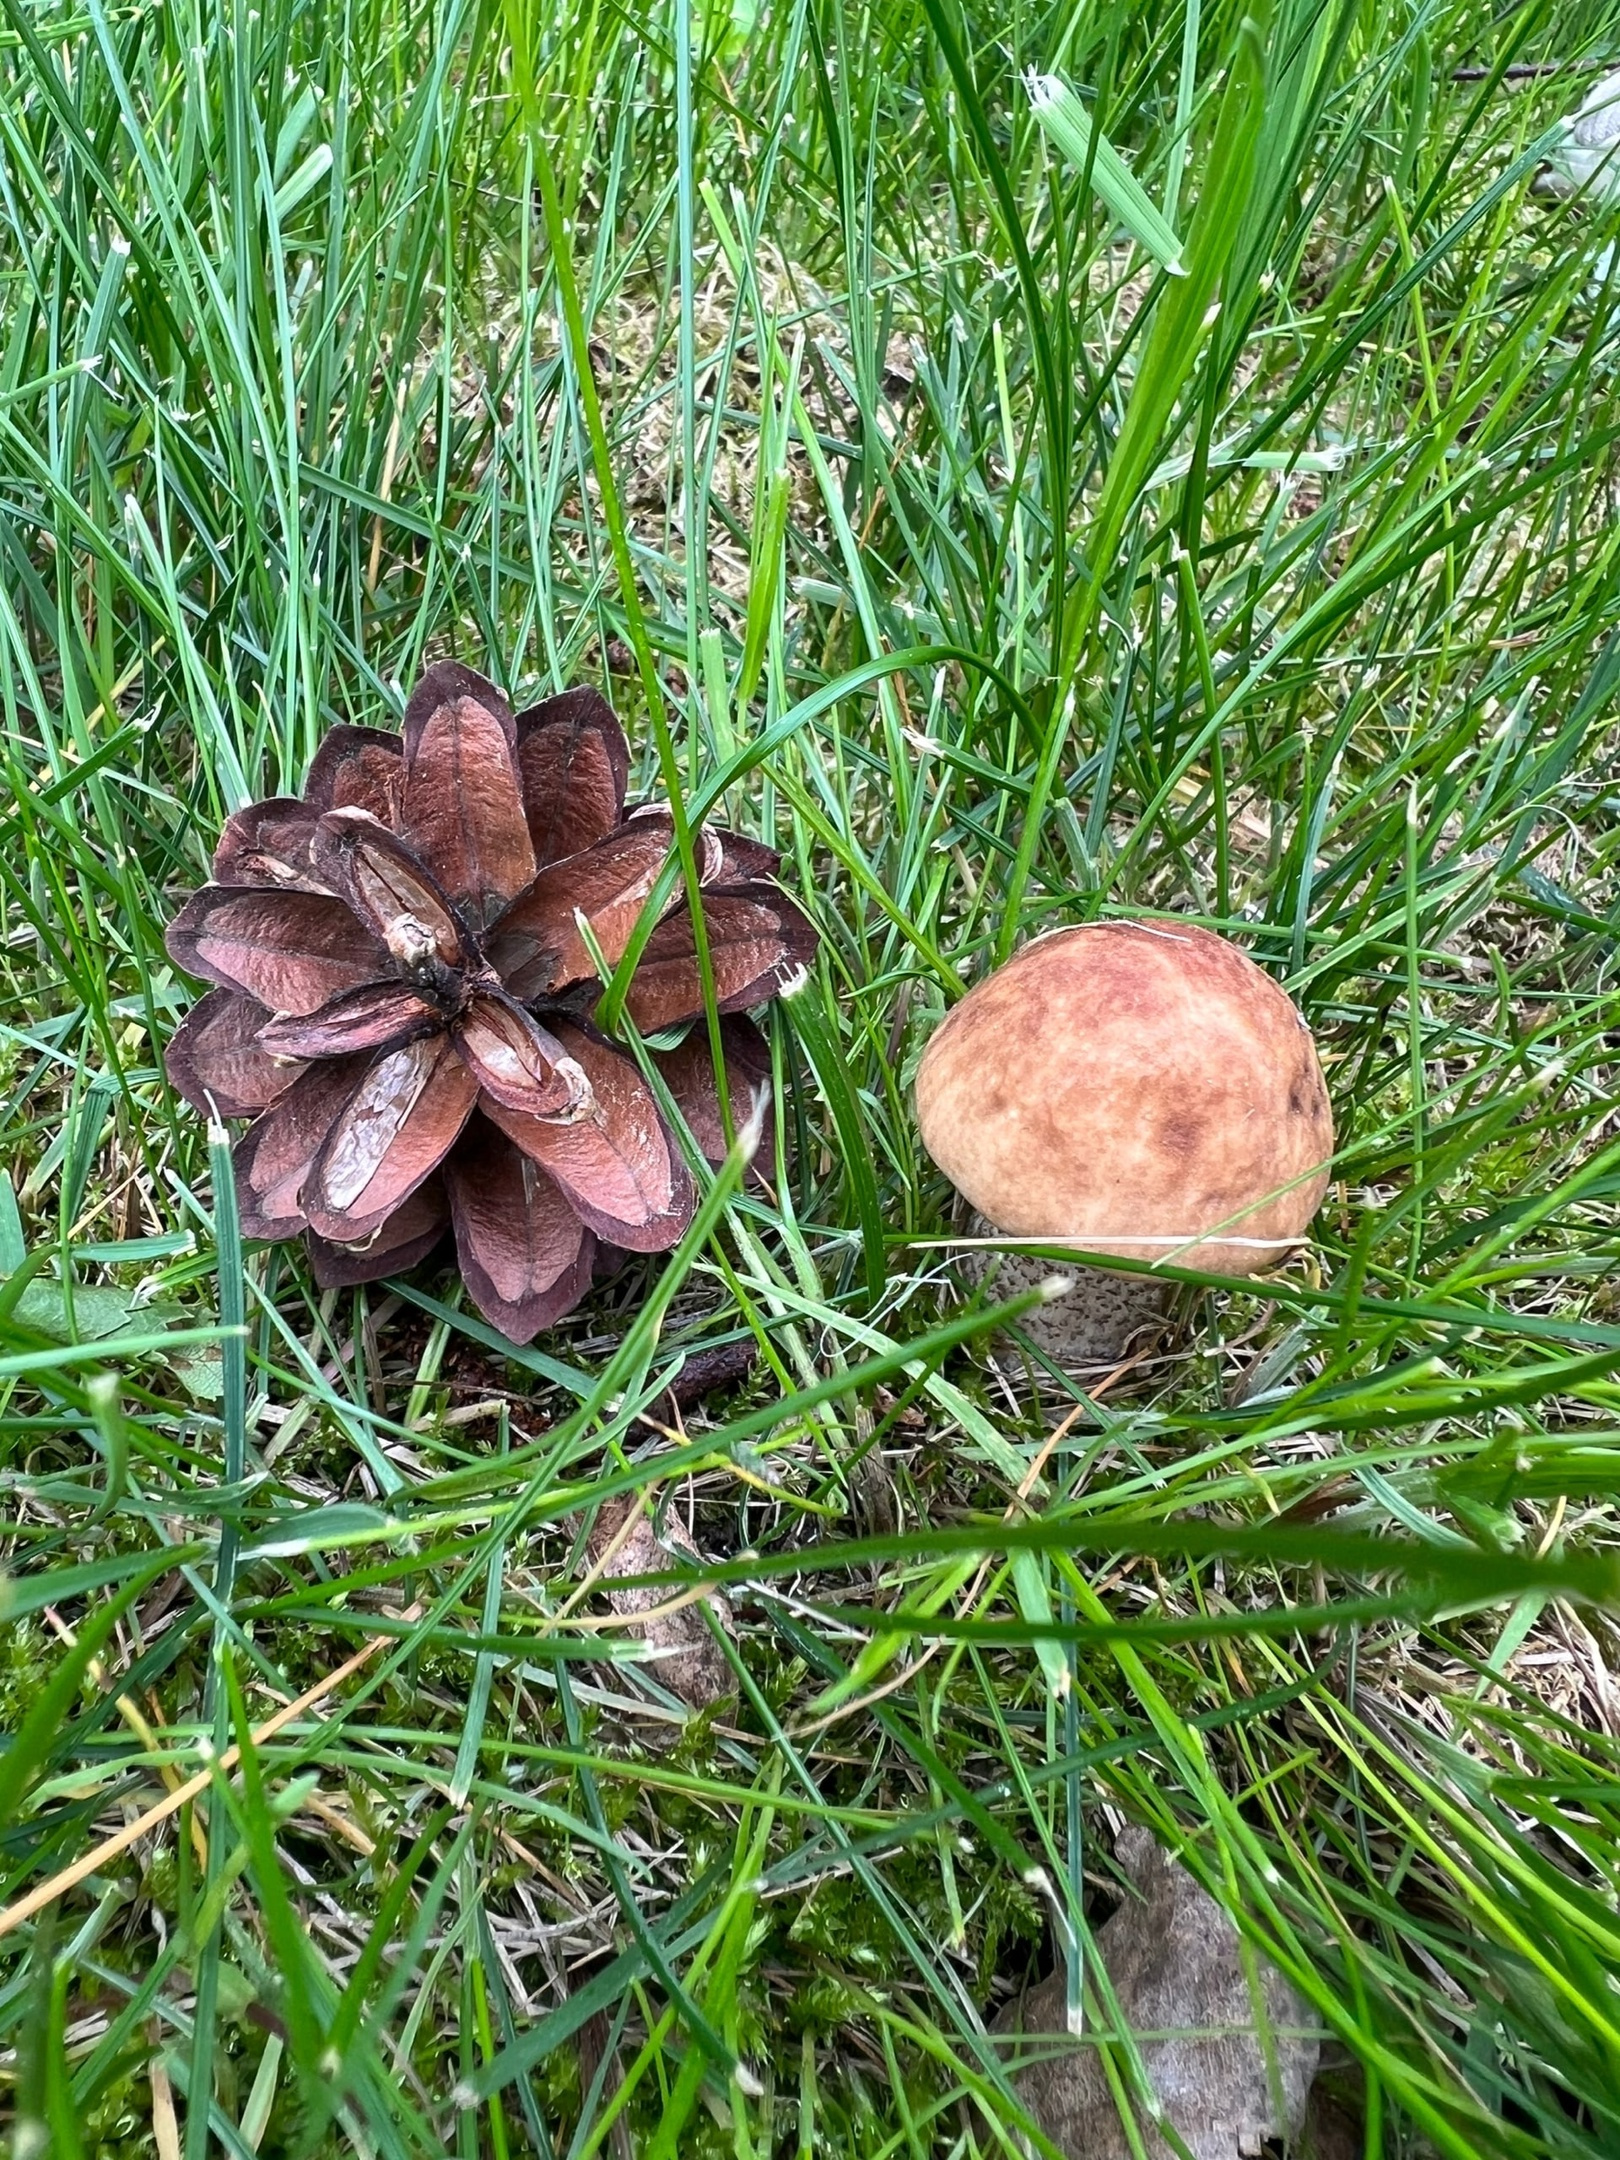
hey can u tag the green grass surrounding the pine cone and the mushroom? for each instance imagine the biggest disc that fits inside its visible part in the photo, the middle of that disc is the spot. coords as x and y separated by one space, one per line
969 558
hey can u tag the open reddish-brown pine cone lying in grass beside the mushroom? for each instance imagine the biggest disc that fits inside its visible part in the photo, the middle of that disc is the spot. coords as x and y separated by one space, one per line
407 999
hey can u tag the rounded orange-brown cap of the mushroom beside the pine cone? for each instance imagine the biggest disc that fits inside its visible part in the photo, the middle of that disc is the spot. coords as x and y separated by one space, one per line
1137 1090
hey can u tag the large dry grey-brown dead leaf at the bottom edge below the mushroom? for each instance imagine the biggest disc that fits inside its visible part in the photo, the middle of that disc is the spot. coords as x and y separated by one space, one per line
1176 1967
